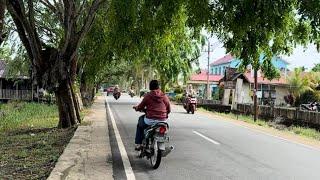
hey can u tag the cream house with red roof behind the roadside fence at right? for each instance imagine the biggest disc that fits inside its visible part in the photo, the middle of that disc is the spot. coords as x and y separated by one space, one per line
238 89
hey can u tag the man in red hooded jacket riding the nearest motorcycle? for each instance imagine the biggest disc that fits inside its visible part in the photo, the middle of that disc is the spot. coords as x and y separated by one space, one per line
157 107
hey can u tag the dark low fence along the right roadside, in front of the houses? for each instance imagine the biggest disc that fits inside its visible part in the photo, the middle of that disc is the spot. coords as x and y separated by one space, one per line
295 115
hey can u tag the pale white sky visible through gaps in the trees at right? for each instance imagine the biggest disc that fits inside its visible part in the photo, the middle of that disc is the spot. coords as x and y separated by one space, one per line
301 56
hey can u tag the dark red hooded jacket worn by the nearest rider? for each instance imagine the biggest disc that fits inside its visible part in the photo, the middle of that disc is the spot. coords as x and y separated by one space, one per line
157 105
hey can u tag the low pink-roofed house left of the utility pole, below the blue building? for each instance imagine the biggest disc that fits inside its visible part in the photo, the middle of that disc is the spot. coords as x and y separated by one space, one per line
199 82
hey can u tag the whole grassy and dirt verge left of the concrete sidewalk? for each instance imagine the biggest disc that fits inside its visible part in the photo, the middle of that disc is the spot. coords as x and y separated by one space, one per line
30 143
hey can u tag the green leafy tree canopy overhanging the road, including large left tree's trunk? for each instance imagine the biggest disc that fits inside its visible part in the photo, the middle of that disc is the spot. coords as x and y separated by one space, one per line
71 41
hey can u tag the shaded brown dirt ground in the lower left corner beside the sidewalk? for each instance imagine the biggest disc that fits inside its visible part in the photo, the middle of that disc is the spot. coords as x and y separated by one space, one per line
31 154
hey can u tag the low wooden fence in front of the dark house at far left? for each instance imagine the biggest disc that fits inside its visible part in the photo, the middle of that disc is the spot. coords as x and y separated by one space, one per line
7 94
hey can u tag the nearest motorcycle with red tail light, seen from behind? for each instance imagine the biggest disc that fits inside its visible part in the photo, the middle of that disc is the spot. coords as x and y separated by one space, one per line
153 144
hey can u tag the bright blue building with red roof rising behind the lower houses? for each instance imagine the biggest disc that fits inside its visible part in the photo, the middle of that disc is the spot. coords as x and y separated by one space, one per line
218 67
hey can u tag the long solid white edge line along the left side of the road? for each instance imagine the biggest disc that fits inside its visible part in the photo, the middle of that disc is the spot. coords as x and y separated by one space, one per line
123 152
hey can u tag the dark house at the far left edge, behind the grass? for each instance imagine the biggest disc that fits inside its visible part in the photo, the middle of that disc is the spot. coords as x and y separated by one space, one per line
14 88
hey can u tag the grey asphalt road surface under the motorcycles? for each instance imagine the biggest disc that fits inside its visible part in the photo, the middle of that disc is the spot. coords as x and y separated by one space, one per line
208 148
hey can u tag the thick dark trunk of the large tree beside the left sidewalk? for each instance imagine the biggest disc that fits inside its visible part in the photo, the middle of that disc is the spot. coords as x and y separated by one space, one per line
67 110
